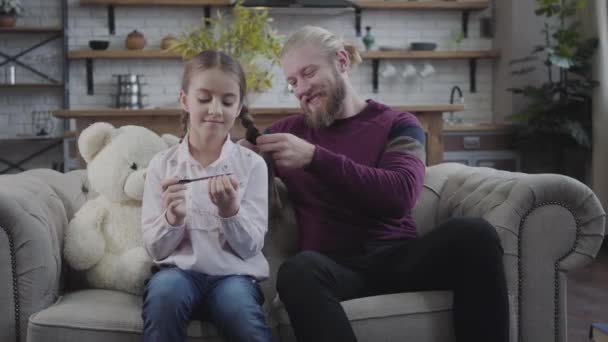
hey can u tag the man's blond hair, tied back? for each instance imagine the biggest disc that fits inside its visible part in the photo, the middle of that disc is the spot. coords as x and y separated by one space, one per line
329 42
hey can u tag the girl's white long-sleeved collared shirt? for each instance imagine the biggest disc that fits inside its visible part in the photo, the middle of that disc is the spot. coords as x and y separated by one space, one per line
206 242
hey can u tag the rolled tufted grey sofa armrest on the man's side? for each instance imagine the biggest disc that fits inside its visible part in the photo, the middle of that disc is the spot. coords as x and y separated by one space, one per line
548 224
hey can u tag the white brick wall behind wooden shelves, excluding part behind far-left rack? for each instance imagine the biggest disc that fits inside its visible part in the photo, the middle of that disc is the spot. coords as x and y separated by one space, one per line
391 28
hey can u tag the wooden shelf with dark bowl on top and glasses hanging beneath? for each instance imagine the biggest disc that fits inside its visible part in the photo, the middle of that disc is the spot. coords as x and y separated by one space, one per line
472 56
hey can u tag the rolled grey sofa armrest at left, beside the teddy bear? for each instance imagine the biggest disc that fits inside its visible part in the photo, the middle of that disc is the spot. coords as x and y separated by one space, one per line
32 223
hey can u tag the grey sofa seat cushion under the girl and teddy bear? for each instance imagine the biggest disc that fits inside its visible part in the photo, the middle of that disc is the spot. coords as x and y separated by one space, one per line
100 315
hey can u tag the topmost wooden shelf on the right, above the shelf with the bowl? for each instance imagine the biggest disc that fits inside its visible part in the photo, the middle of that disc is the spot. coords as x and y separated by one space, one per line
465 6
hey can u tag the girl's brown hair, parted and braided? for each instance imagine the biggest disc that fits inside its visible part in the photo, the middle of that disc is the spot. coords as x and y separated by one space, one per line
210 59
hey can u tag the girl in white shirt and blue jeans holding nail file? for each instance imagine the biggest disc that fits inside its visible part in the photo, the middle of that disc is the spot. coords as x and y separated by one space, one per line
207 235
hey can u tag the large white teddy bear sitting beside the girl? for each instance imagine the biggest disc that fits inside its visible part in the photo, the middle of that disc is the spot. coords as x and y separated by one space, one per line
104 237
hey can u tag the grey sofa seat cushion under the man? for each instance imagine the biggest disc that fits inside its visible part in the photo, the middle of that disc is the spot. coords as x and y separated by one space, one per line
412 316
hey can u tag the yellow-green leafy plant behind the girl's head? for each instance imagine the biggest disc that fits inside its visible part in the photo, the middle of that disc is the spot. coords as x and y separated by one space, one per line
248 37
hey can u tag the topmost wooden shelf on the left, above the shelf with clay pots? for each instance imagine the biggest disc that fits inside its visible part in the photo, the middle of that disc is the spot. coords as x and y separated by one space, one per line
207 4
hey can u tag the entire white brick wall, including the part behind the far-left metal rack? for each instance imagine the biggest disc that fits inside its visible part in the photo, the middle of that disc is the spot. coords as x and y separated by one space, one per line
390 28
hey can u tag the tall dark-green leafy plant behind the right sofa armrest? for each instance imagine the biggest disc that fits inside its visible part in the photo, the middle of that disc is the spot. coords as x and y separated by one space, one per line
555 132
